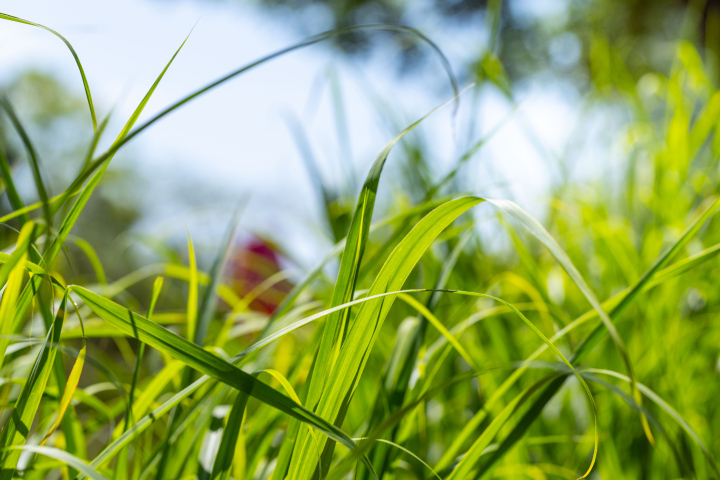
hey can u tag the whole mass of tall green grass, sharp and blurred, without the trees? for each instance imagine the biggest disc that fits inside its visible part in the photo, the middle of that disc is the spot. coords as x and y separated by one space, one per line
427 355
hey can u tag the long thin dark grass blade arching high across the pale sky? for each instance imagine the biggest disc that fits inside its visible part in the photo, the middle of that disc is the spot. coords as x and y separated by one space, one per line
307 42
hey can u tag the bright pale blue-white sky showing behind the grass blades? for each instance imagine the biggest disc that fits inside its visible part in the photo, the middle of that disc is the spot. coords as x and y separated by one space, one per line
233 143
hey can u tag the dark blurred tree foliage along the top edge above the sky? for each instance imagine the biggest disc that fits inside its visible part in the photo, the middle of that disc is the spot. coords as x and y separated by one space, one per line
530 35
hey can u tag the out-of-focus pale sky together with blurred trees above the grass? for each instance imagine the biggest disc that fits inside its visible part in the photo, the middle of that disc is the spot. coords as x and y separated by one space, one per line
544 101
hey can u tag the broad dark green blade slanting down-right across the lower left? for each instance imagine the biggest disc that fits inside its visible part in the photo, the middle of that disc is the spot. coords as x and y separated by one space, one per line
204 361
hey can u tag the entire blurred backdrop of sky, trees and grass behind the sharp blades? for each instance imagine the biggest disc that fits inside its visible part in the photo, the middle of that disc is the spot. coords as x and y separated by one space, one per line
599 117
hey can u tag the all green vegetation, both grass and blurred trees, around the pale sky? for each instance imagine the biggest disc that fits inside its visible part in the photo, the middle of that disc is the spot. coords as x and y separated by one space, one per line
445 335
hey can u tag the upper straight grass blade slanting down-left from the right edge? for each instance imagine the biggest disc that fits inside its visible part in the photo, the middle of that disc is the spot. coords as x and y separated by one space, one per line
594 338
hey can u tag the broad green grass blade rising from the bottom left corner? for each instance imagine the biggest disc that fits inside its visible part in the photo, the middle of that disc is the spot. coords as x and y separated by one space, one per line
17 429
